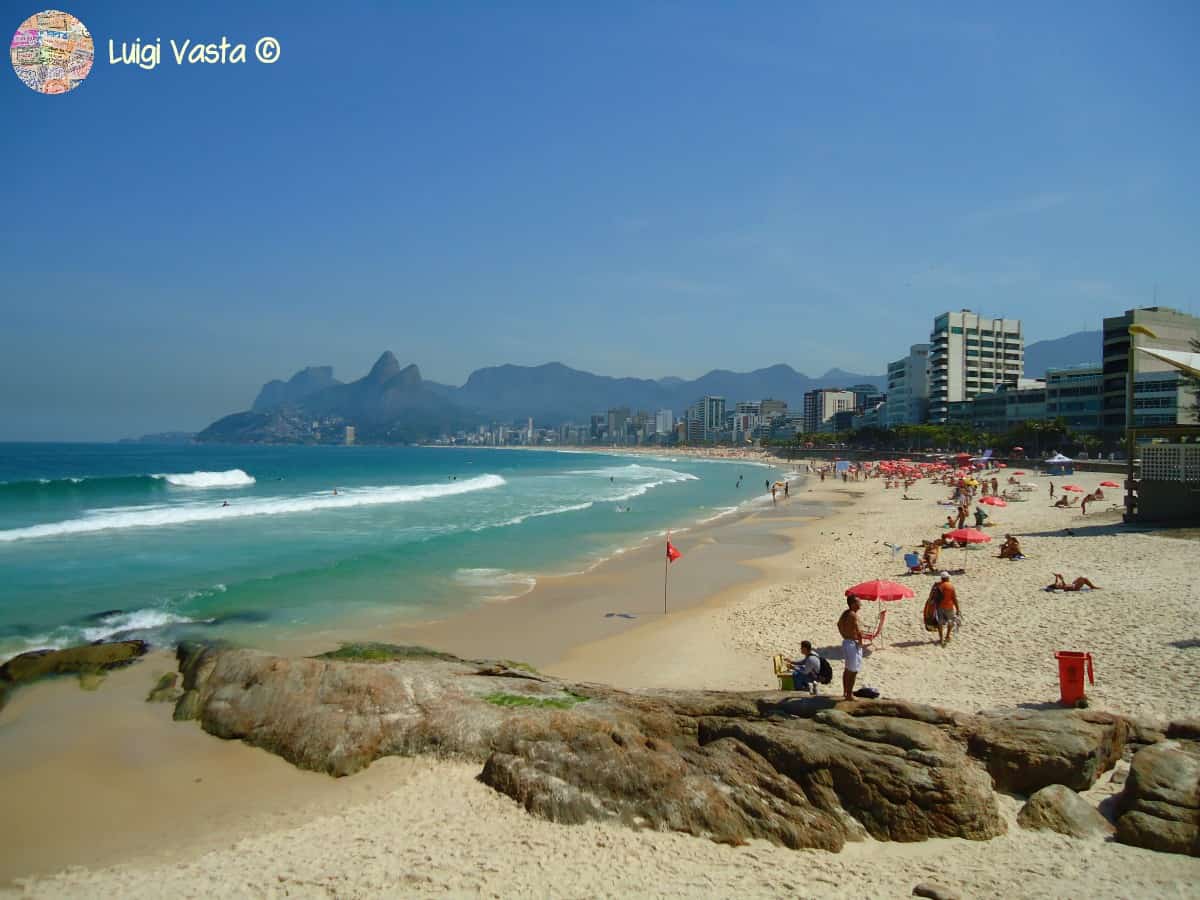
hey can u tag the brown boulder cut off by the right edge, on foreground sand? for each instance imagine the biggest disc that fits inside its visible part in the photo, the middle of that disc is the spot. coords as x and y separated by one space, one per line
1160 807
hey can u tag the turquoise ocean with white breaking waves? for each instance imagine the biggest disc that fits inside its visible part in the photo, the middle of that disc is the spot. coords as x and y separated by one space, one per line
104 542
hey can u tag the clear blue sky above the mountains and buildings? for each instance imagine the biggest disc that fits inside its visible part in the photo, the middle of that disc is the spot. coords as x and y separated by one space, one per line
632 189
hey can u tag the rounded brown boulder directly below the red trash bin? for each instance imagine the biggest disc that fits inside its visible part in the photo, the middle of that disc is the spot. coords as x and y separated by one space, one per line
1027 751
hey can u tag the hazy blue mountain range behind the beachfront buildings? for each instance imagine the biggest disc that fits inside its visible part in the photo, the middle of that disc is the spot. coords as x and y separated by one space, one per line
394 404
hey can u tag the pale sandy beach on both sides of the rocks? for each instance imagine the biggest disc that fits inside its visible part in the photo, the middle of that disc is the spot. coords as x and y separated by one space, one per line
745 591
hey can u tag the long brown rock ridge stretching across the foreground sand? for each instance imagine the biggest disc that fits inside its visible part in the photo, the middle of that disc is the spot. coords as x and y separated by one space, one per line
801 772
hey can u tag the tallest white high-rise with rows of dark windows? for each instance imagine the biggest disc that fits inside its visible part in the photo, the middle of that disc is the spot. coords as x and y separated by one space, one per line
969 356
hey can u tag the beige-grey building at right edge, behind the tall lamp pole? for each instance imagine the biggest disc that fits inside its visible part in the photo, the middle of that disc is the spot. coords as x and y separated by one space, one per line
1161 397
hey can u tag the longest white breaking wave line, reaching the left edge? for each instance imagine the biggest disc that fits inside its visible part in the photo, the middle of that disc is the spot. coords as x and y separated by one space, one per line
191 513
